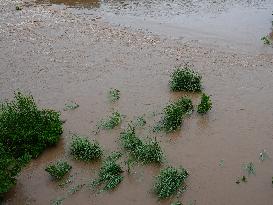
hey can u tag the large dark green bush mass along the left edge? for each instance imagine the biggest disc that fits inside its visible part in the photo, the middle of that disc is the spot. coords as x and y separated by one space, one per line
25 132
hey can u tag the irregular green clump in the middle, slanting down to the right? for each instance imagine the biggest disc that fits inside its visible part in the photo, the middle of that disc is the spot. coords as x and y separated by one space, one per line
146 152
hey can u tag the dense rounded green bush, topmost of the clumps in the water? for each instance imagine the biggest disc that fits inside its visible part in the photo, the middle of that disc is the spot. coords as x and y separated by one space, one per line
185 79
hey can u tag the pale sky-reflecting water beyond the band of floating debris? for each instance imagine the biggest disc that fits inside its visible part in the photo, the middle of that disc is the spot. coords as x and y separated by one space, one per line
230 24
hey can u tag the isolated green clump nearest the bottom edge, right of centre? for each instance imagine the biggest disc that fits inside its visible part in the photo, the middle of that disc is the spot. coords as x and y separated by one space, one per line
169 181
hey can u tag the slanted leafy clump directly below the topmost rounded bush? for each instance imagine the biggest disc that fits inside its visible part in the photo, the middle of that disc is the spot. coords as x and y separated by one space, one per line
174 112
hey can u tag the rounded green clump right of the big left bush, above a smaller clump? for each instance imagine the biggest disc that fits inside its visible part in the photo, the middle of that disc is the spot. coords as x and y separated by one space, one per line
85 150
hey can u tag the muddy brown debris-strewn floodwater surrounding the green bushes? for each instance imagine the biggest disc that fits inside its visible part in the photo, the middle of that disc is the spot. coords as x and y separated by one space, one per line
61 55
